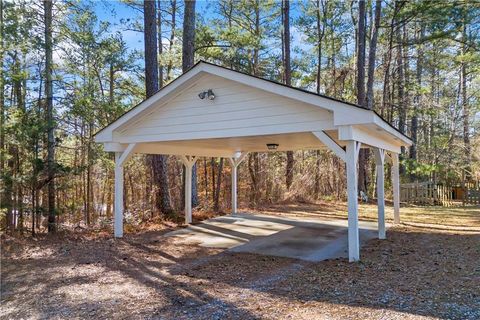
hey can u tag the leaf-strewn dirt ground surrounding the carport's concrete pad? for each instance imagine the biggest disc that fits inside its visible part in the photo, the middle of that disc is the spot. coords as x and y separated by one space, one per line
427 268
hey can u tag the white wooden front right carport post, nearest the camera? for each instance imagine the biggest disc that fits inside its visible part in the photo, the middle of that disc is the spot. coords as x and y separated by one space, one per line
353 235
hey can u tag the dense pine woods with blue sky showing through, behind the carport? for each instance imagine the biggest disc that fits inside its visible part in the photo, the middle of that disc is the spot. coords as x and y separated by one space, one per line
68 70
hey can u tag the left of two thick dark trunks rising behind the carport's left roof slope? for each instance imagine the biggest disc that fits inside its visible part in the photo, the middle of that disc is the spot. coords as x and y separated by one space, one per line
157 162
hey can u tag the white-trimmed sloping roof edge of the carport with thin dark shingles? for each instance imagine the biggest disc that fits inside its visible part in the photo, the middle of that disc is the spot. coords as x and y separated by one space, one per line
203 66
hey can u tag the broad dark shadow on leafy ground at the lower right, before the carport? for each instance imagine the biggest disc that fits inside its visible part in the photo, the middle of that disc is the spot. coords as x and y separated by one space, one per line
422 273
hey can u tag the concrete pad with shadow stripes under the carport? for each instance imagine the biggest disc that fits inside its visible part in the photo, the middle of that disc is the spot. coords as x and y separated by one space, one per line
306 238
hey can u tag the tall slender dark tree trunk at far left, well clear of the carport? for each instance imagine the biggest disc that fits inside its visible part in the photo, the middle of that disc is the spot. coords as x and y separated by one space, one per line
52 227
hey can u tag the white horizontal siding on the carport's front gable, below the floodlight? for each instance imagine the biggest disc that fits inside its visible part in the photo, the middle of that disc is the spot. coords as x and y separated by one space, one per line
238 110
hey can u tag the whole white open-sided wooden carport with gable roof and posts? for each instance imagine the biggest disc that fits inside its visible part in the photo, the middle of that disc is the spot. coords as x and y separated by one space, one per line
240 113
